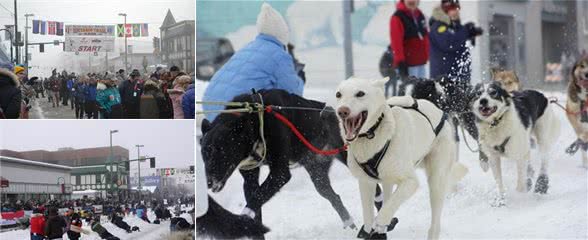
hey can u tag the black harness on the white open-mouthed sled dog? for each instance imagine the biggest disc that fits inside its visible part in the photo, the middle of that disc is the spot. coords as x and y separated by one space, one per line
370 167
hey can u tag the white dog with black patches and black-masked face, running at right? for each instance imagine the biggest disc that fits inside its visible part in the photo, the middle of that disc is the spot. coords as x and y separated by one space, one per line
506 123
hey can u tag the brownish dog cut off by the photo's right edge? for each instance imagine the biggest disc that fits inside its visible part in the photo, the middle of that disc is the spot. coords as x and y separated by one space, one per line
577 105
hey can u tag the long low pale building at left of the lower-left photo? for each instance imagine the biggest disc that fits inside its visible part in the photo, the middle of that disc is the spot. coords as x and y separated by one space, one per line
51 181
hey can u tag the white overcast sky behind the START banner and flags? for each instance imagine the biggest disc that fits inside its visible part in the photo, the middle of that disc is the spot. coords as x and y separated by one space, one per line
98 12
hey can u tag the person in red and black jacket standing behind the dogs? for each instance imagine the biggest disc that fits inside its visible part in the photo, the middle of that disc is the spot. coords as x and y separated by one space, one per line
409 39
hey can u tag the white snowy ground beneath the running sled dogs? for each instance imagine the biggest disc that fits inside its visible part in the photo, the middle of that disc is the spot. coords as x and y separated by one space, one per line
298 212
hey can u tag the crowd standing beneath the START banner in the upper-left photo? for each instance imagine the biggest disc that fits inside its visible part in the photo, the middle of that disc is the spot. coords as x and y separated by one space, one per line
163 94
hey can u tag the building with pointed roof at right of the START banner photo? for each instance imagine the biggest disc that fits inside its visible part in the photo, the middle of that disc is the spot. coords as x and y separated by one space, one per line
178 43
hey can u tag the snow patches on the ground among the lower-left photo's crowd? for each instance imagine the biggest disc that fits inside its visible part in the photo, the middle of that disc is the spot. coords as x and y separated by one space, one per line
148 231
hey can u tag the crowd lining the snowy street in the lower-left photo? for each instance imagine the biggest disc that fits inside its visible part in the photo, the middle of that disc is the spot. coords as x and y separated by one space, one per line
52 219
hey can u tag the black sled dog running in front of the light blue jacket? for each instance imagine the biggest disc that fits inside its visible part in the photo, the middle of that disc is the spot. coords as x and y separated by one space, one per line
234 137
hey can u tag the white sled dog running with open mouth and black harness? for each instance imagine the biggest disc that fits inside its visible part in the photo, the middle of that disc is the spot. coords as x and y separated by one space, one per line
388 141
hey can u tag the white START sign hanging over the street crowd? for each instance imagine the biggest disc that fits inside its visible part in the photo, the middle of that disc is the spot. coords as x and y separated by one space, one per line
89 44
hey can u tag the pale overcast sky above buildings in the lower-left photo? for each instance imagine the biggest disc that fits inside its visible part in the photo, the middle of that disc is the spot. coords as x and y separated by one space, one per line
170 141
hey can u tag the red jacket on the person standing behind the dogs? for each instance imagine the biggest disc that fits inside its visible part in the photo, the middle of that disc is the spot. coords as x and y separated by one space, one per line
412 50
